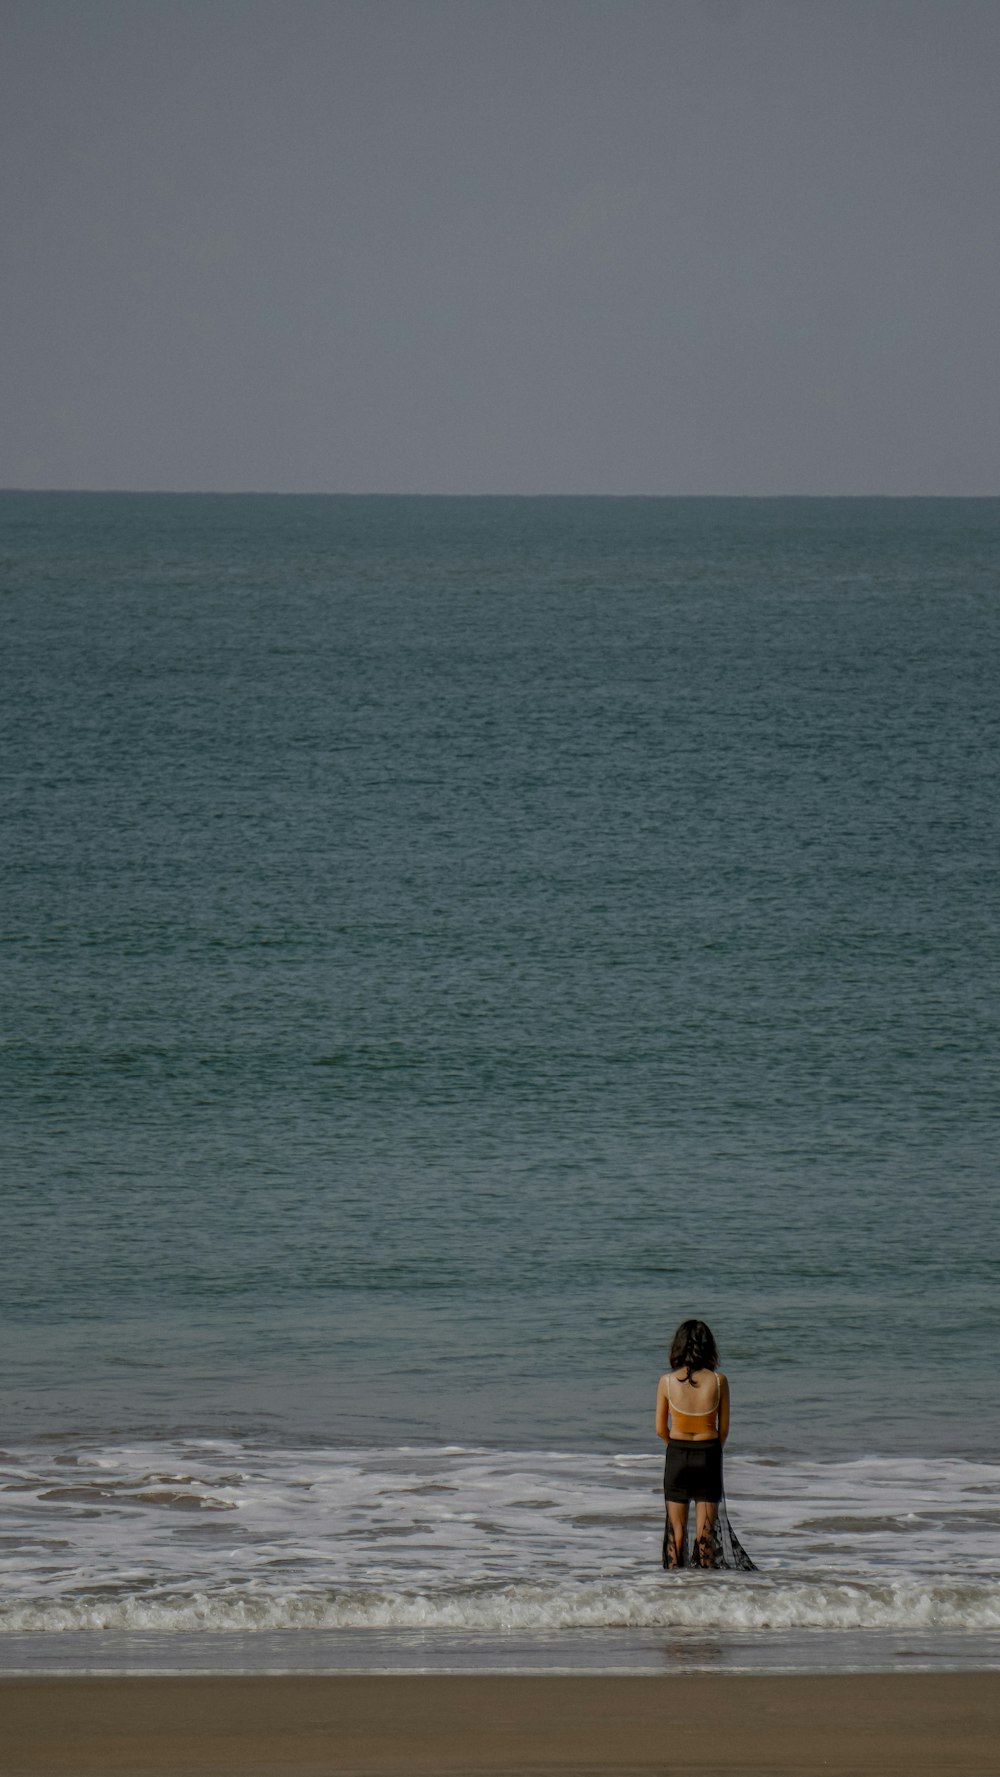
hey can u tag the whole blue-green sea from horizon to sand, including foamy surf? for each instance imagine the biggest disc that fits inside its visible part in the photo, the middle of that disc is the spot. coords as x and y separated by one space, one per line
447 943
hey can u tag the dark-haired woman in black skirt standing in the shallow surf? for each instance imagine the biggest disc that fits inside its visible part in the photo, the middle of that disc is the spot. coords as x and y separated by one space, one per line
694 1421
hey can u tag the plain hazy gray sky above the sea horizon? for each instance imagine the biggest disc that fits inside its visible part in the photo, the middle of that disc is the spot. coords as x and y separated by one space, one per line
502 246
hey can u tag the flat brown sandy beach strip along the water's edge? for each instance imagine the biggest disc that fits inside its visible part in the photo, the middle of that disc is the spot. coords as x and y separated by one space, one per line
843 1726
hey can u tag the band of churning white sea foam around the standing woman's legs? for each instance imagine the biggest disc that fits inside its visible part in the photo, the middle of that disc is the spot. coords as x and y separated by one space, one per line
235 1538
